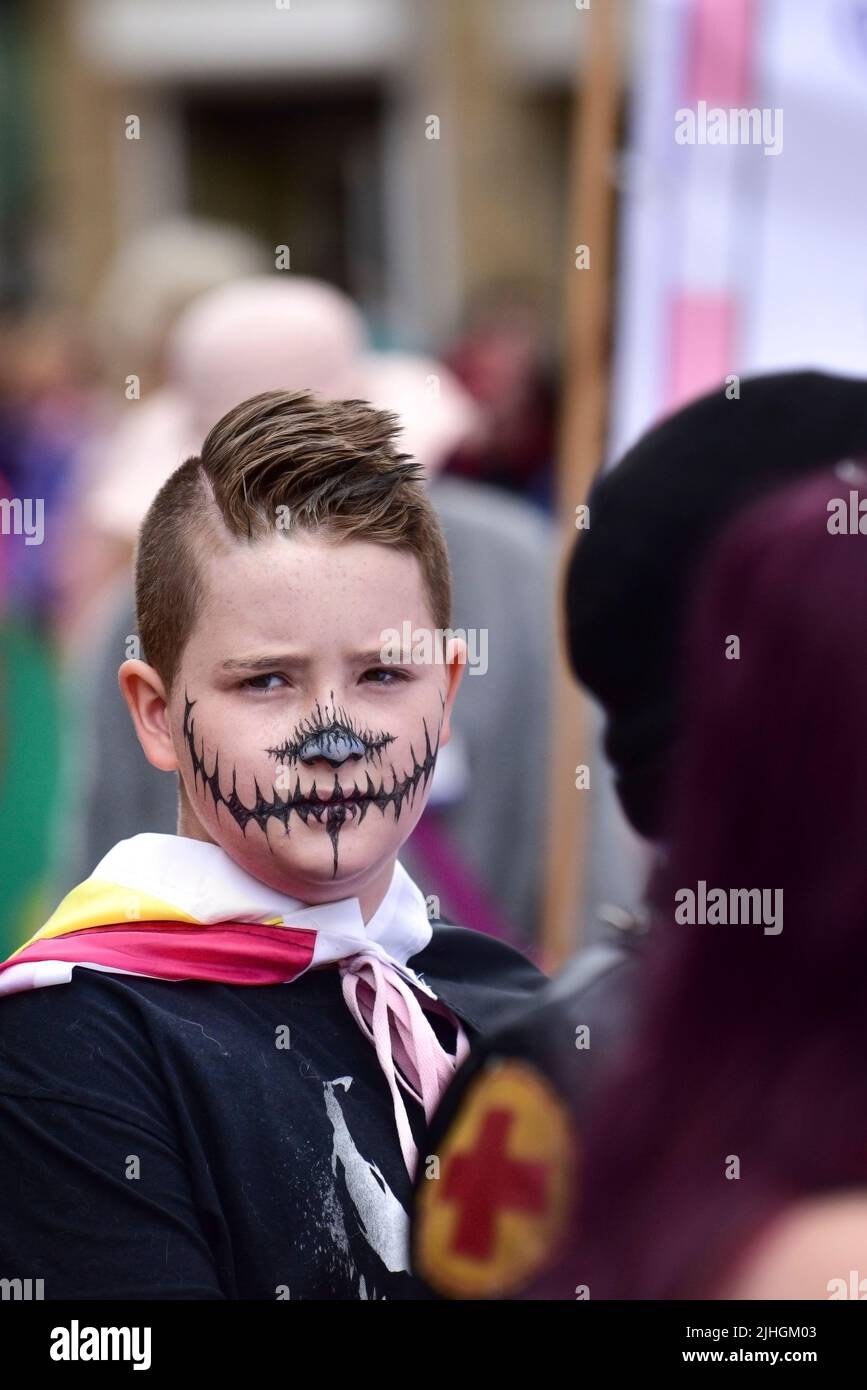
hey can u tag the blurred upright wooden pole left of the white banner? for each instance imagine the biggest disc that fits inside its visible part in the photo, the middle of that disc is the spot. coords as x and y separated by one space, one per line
581 445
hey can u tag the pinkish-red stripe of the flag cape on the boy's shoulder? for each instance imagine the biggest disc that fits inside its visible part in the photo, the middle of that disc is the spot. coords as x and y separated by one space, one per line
229 954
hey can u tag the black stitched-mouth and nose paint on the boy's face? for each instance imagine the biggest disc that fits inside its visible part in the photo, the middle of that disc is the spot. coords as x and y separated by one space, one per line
341 806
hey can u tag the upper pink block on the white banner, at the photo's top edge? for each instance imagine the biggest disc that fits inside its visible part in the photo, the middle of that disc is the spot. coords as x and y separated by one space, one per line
719 65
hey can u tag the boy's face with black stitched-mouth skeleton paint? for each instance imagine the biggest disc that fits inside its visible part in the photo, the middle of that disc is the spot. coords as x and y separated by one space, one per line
304 755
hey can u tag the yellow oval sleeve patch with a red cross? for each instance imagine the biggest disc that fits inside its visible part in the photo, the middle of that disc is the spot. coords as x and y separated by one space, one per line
494 1209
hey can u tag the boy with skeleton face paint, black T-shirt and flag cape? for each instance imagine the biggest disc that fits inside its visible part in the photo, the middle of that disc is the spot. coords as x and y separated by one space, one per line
223 1093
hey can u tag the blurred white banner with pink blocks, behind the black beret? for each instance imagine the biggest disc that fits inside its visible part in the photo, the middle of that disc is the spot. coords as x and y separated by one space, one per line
745 199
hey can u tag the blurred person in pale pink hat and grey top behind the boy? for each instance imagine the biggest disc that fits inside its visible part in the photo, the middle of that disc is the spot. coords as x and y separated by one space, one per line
477 854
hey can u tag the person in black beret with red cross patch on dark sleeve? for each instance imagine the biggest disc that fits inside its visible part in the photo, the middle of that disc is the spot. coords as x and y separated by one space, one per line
505 1164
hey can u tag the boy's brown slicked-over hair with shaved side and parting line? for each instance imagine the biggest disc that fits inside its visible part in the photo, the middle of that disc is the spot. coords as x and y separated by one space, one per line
283 462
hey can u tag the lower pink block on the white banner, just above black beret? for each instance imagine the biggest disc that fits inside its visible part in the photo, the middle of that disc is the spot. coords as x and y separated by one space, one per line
702 341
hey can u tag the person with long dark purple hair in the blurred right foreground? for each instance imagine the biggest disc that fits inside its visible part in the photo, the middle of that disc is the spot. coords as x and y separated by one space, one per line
729 1157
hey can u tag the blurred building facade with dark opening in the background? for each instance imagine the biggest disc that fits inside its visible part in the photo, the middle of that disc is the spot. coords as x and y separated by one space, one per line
413 154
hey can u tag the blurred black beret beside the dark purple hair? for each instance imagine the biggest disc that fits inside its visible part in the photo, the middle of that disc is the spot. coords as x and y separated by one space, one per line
654 519
